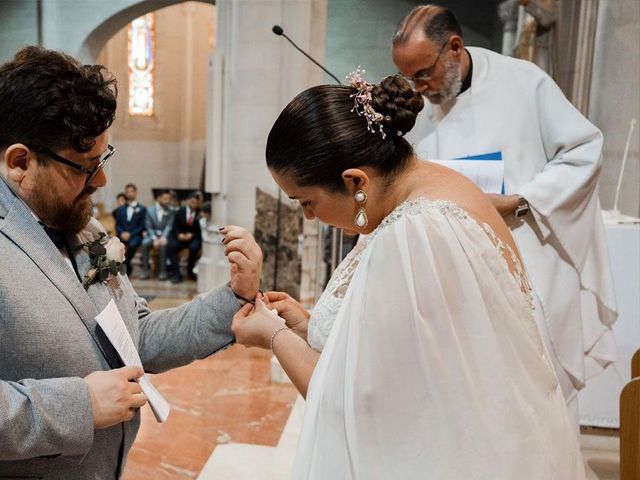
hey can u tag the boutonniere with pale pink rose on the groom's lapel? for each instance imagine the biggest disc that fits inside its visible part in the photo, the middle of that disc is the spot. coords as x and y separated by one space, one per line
107 259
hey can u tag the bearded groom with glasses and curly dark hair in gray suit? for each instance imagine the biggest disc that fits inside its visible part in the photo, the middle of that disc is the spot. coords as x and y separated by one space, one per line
69 410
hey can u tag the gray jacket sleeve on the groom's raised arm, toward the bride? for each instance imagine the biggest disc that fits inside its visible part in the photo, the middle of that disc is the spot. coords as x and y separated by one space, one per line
175 337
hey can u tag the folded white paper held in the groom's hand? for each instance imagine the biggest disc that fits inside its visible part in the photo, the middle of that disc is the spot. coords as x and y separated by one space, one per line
113 326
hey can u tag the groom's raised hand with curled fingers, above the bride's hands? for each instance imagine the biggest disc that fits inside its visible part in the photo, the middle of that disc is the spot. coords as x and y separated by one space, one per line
245 259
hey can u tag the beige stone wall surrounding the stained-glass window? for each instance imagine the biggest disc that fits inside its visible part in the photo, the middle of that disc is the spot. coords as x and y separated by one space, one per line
165 150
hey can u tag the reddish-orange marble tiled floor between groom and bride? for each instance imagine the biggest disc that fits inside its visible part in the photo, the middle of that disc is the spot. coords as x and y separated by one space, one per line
225 398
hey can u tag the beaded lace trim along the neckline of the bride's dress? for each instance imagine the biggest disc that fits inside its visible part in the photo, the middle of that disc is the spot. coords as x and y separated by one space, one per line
326 309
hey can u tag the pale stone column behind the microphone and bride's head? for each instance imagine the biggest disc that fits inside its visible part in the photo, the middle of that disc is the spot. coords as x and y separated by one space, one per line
260 74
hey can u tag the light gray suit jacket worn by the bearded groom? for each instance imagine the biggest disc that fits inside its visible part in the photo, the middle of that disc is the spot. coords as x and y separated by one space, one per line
49 342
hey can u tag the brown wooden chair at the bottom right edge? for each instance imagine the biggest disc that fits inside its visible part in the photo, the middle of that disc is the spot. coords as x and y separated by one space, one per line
630 424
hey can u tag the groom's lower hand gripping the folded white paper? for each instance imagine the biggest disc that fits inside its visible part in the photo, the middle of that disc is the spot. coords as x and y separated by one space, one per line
115 396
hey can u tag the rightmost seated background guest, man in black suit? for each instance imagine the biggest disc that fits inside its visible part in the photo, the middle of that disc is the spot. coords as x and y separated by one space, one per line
186 233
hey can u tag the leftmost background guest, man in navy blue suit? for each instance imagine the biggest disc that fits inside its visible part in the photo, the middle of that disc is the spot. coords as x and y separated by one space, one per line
130 223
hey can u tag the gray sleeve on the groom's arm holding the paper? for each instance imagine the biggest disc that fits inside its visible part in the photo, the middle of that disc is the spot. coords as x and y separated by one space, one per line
45 418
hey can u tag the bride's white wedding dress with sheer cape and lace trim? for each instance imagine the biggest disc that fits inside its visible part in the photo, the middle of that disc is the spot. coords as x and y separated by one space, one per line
432 366
